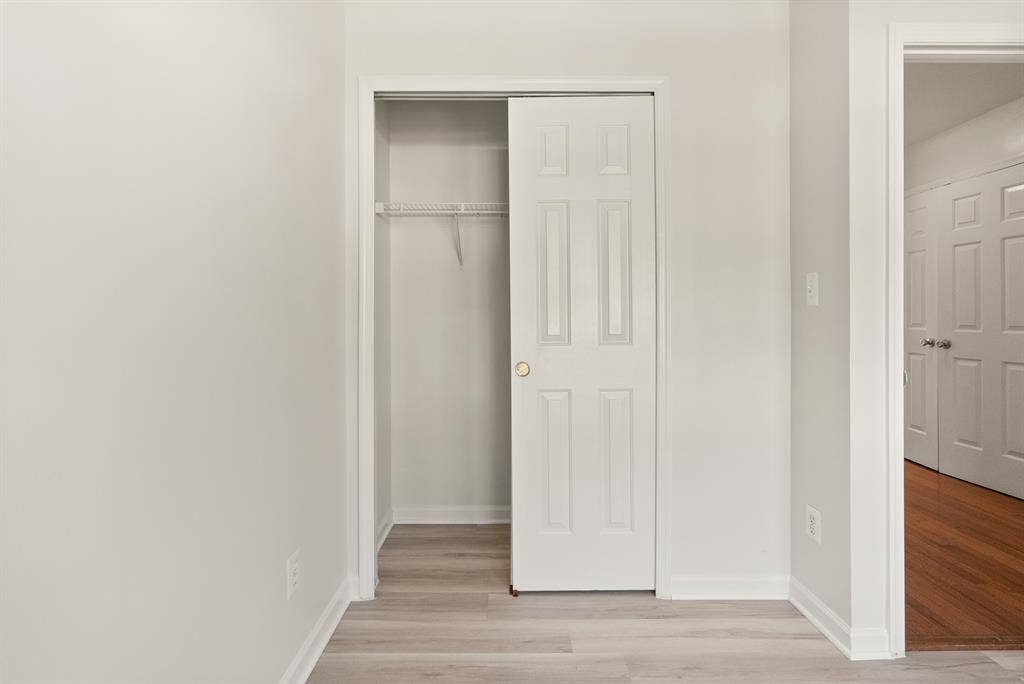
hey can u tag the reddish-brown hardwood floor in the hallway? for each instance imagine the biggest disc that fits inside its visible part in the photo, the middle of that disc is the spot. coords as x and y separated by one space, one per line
965 565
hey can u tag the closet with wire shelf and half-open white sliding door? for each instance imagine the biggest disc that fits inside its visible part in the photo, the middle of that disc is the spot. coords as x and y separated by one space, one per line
515 335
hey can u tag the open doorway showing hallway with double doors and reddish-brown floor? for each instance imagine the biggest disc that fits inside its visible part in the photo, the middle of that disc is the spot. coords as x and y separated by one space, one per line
964 354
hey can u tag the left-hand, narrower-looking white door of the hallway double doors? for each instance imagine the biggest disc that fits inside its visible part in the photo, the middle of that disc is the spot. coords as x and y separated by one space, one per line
921 320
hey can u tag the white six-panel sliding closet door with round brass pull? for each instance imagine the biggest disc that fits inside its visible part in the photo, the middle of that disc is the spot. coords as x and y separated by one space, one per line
583 288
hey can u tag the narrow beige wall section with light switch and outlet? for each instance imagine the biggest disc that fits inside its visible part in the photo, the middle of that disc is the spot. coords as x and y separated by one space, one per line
820 238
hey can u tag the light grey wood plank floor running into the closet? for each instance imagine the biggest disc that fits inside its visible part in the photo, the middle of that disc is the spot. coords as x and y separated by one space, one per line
443 614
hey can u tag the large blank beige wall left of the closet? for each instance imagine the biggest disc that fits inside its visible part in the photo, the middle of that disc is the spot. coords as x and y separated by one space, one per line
170 350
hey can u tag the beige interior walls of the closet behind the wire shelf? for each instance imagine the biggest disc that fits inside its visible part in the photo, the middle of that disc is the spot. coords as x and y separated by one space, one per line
443 393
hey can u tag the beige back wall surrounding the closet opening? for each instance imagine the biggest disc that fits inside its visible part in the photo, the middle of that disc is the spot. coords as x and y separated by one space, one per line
728 247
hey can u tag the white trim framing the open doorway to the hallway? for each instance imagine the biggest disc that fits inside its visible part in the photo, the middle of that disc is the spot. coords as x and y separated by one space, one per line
955 42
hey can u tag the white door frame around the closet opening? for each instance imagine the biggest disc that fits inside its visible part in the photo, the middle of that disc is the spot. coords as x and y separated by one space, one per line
362 541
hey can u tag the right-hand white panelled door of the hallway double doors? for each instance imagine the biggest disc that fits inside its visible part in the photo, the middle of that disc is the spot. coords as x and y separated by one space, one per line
982 317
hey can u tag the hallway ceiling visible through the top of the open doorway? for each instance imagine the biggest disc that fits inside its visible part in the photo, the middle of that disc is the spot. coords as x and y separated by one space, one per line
938 97
